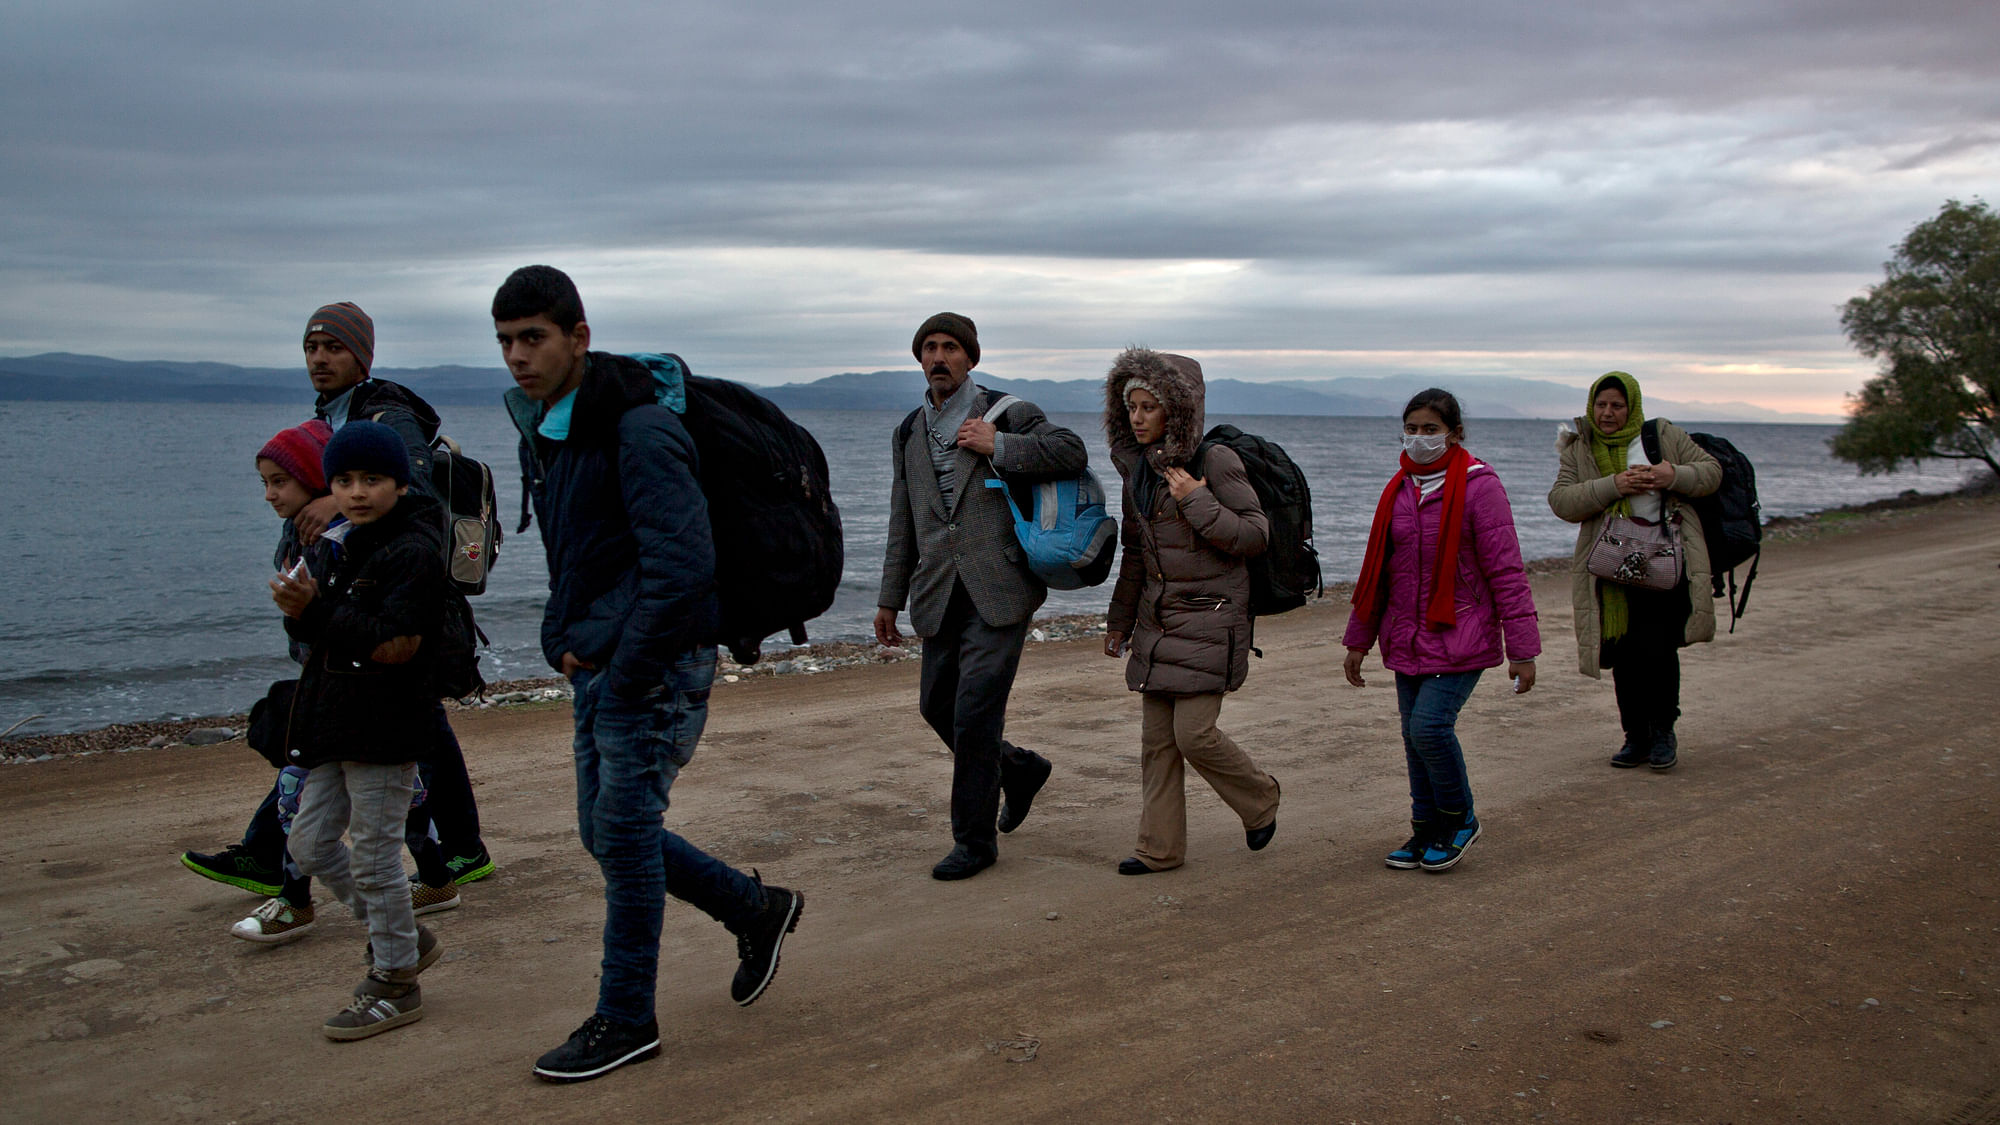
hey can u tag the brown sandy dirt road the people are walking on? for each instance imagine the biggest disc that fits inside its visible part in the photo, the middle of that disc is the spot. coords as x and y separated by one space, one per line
1799 924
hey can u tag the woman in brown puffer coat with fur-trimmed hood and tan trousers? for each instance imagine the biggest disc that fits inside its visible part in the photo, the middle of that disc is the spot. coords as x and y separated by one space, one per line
1181 610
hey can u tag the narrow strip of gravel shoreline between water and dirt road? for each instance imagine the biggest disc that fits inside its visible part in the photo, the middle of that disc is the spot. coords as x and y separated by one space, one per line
813 660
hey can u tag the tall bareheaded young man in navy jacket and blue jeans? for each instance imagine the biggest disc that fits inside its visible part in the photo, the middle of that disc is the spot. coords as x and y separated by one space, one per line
631 622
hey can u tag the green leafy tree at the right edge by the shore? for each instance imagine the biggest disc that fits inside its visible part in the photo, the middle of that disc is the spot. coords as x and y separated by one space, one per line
1935 323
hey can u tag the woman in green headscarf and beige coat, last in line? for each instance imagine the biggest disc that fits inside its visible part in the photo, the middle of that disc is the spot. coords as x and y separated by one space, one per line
1633 632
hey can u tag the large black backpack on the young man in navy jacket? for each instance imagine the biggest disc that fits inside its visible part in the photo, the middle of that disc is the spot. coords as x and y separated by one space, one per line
771 509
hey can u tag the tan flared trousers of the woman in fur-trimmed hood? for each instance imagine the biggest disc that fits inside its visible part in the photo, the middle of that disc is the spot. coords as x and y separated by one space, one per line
1179 730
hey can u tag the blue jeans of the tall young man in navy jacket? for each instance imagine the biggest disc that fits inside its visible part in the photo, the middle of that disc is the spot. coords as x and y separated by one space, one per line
627 758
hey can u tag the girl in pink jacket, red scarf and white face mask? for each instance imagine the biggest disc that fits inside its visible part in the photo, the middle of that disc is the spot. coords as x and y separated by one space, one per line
1441 626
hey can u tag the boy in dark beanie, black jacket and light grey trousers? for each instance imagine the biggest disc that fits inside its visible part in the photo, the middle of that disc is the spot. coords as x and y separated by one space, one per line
363 714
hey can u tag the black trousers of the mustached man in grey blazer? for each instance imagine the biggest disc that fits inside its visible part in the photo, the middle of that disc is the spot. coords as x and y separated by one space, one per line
969 672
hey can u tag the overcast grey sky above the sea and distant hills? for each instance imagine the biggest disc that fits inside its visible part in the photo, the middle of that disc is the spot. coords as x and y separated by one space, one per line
785 189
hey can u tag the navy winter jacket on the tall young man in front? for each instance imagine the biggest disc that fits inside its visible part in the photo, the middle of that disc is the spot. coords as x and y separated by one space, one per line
625 525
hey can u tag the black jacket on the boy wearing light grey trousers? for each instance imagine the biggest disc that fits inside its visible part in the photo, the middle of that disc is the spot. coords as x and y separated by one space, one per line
387 582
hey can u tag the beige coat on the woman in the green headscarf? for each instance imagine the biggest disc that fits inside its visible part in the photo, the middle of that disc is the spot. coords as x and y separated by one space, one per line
1583 493
